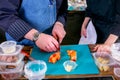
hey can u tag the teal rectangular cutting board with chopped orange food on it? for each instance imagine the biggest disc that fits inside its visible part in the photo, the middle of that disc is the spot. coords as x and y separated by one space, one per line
85 61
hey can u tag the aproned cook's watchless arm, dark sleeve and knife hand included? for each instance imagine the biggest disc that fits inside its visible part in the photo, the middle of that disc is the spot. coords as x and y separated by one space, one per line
58 31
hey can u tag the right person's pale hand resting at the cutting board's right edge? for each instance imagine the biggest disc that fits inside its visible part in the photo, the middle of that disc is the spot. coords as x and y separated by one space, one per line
102 48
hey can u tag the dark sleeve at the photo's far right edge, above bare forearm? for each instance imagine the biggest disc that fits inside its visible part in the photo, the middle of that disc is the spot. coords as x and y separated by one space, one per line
116 25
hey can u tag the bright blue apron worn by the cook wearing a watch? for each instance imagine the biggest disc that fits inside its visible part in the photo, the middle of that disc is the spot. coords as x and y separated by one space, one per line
40 14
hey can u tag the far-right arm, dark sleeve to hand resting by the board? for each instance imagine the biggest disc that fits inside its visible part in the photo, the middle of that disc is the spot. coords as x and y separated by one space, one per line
115 32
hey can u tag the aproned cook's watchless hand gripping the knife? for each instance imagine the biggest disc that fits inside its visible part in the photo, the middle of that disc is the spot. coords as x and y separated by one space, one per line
58 31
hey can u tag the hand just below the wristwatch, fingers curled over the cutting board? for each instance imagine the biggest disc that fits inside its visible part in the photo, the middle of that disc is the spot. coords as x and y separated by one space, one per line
47 43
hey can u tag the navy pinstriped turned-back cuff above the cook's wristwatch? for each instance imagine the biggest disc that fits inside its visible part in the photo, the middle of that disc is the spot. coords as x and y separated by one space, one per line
18 29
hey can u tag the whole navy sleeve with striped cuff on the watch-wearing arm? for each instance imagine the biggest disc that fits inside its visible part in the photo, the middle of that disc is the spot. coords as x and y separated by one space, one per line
10 21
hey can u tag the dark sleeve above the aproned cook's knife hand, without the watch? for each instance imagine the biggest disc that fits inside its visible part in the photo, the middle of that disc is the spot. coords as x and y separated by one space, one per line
62 12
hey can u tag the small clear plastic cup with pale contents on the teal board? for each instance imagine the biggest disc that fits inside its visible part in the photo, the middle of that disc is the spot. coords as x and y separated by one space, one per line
69 65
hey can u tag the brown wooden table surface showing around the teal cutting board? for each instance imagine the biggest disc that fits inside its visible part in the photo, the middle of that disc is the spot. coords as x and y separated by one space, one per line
102 74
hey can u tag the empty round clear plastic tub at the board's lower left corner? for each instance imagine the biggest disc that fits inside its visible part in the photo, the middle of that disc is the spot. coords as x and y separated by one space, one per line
35 70
